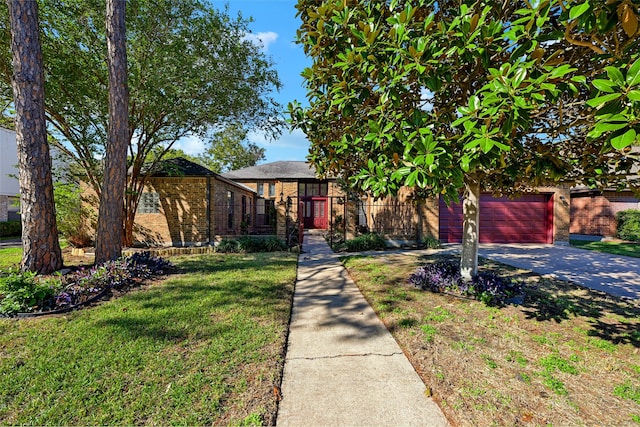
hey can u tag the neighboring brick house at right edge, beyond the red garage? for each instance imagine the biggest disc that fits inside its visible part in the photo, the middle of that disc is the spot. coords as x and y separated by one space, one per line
593 212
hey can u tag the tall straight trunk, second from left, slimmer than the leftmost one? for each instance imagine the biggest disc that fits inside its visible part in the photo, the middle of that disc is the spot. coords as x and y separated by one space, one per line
109 234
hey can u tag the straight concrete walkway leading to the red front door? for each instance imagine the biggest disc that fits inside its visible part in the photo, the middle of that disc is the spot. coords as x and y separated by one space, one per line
342 366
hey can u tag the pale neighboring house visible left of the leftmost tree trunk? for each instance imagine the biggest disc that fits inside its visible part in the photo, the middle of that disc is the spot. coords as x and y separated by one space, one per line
9 185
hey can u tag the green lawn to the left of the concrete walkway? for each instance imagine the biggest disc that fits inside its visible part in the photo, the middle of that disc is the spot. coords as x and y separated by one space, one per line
203 347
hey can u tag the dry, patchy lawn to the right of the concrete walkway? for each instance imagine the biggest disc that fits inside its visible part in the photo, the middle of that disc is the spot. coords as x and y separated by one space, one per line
567 356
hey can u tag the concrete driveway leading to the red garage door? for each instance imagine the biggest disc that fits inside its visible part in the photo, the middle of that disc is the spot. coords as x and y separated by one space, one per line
614 274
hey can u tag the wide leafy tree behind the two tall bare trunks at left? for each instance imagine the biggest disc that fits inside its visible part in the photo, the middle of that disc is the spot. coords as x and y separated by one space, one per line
191 70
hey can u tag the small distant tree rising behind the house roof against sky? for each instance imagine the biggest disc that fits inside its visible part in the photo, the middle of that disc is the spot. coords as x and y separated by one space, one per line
229 150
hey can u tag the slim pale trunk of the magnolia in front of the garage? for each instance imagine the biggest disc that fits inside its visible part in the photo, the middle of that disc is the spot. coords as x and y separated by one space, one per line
470 228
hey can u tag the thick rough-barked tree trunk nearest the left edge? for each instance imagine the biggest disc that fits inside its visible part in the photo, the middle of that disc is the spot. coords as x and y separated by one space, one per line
41 249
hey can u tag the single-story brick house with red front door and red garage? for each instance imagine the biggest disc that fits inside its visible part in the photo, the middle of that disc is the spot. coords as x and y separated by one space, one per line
187 204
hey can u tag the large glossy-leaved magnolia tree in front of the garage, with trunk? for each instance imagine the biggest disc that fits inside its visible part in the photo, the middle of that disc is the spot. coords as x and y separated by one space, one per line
459 97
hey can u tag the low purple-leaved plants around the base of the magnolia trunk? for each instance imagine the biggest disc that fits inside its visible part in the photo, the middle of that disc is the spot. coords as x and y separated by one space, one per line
487 287
